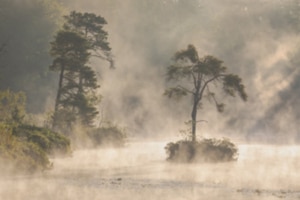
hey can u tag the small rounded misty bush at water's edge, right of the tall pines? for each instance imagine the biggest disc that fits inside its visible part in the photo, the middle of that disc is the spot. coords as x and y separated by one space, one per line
109 135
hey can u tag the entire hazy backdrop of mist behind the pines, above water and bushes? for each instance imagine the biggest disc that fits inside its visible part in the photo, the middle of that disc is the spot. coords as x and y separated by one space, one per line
257 40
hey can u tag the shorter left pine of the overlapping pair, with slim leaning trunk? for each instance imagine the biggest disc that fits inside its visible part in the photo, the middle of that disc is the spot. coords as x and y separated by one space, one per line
70 53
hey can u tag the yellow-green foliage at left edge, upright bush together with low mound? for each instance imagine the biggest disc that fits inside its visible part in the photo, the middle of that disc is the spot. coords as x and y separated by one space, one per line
22 147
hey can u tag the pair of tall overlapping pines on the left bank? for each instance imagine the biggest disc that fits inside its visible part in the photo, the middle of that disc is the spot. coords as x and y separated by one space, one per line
82 37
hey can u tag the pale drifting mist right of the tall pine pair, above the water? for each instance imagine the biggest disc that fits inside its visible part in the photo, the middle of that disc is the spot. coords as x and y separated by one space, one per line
258 40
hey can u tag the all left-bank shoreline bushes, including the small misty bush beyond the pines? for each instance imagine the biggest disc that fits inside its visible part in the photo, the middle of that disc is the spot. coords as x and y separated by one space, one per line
28 148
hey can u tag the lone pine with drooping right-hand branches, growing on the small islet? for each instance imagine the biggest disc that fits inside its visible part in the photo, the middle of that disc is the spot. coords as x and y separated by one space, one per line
193 76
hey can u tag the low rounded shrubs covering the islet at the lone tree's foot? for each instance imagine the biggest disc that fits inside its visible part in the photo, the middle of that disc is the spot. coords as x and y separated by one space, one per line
206 150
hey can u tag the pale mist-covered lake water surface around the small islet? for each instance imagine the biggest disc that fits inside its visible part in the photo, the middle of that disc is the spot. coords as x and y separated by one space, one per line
140 171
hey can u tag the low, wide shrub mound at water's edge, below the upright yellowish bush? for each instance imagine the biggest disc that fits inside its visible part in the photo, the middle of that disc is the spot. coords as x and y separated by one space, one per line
26 148
